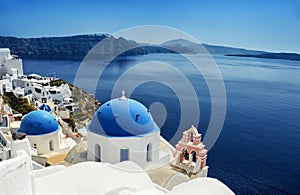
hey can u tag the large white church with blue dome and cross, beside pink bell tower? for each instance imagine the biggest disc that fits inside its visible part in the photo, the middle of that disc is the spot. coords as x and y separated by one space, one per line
123 129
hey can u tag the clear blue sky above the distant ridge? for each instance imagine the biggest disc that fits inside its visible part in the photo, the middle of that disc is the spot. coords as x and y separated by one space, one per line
269 25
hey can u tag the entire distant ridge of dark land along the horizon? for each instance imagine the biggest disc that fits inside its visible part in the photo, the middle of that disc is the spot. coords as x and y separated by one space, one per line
76 47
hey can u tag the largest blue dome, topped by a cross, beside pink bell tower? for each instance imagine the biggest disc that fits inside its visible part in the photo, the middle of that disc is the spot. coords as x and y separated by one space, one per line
122 117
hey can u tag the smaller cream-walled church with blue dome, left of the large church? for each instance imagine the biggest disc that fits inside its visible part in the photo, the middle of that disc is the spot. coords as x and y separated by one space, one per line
43 132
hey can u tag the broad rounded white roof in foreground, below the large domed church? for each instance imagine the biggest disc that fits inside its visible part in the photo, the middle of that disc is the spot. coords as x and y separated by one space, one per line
91 178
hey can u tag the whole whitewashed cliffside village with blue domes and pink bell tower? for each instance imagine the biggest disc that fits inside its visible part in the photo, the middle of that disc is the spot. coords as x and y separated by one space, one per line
43 154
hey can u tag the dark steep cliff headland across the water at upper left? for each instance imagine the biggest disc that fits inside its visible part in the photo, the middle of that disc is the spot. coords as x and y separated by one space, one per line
66 48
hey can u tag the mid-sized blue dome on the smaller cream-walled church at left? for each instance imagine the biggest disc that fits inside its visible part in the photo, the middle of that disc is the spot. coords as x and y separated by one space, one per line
39 122
